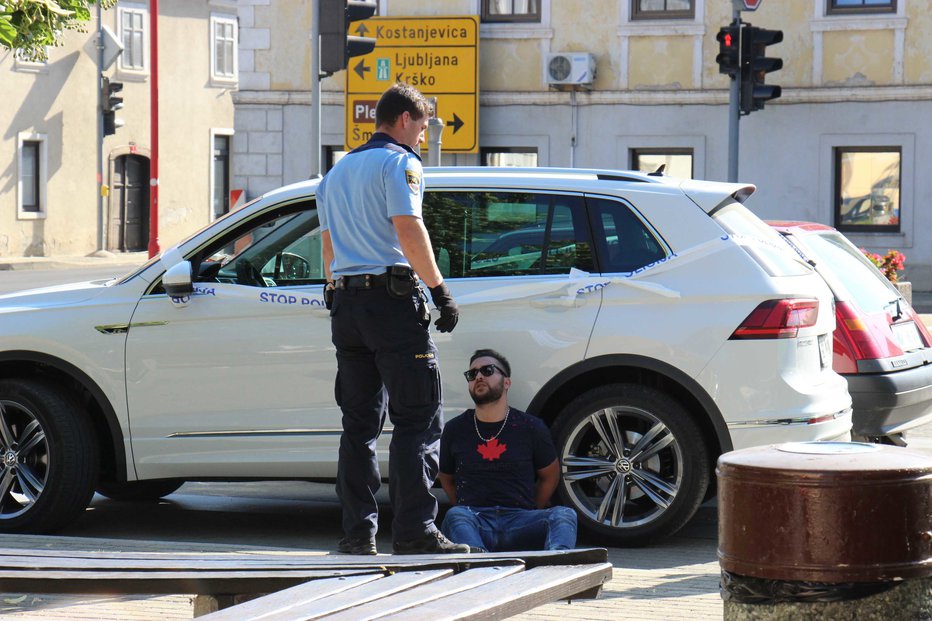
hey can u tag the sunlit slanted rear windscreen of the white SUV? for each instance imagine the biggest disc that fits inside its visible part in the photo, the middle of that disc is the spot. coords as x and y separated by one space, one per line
760 241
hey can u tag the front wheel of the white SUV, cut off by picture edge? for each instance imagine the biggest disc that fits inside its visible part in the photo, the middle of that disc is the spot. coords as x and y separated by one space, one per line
50 457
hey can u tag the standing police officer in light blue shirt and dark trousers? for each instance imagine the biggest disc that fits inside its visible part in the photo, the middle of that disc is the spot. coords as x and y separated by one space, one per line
375 248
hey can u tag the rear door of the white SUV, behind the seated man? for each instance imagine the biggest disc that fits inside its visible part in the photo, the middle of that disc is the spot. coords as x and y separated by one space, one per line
517 262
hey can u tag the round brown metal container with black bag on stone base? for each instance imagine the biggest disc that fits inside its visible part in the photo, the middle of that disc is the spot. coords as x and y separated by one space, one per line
825 530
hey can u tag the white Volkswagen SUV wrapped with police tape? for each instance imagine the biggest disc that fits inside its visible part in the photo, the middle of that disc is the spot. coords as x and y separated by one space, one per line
653 323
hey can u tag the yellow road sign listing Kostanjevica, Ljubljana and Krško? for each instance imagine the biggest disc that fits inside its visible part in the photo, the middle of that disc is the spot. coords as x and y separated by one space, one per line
437 55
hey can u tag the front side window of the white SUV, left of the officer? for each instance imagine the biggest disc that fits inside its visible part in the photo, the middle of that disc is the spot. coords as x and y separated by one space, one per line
281 249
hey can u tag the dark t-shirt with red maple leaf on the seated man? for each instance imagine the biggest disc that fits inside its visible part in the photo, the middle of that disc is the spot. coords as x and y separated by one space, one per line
501 472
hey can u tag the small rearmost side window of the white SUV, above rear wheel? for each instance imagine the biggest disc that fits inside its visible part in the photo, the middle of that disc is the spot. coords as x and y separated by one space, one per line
623 242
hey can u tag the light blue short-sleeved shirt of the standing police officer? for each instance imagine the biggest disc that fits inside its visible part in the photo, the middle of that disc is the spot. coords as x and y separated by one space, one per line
357 199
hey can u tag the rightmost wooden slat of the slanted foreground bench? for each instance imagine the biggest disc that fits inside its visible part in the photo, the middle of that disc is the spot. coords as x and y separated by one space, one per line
511 595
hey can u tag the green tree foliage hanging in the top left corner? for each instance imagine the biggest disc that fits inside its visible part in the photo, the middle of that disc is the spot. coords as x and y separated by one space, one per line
31 26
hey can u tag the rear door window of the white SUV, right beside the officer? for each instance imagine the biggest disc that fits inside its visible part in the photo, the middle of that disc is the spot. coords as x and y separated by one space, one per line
507 233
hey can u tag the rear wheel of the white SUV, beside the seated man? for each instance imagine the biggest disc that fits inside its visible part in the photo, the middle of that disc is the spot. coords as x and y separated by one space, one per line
634 463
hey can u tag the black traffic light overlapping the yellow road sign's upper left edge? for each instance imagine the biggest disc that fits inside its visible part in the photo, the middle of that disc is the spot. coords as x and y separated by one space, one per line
337 46
